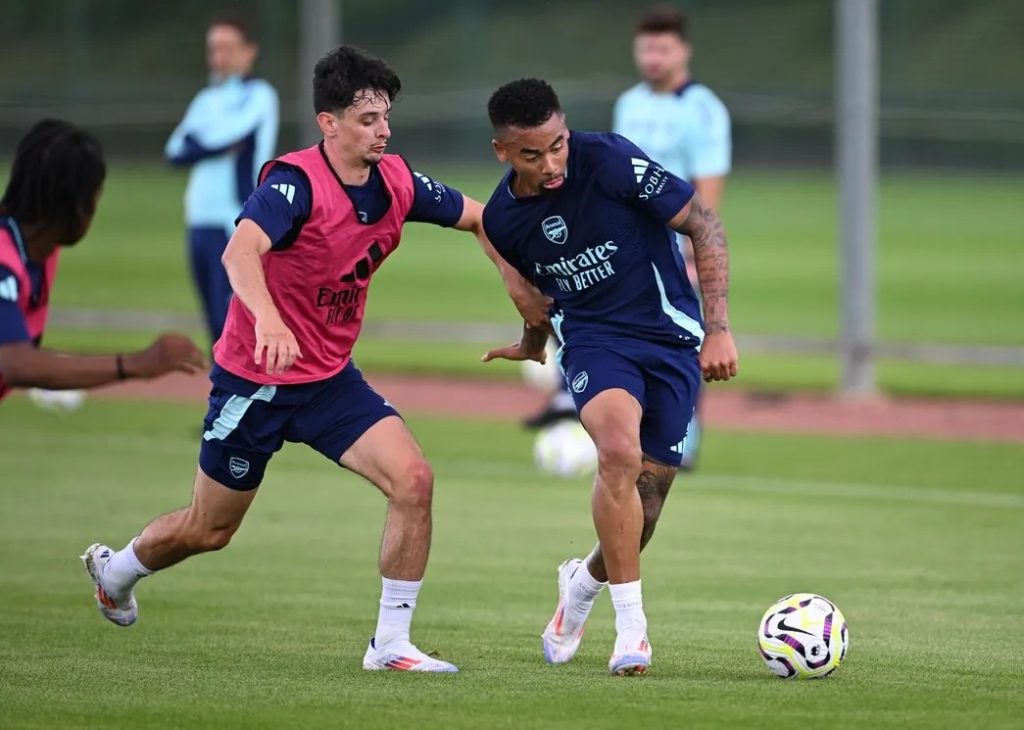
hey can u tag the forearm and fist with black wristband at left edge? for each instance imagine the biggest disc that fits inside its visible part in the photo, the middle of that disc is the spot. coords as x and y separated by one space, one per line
24 366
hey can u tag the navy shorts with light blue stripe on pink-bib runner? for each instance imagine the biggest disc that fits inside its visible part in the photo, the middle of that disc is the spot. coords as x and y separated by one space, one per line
247 422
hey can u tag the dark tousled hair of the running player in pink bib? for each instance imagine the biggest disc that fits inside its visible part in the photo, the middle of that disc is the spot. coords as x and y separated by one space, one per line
347 71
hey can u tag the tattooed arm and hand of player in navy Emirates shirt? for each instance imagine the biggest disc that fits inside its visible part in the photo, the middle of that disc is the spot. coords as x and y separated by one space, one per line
719 360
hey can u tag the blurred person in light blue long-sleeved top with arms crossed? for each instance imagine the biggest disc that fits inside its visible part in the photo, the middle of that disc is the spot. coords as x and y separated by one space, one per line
229 132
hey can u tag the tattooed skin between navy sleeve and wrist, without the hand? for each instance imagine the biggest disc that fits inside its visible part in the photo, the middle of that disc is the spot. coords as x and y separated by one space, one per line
712 259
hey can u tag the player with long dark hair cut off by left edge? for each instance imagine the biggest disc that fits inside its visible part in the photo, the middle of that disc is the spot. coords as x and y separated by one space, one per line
52 196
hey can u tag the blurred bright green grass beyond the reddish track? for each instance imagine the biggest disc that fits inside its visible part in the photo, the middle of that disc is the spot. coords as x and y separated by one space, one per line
948 243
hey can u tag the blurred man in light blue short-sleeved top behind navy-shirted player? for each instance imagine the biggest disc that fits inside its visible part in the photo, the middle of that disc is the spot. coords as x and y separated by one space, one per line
678 122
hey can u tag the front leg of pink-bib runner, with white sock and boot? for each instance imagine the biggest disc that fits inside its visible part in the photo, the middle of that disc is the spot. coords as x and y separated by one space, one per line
389 456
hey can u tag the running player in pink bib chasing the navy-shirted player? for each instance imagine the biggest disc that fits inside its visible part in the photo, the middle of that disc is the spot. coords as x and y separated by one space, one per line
309 241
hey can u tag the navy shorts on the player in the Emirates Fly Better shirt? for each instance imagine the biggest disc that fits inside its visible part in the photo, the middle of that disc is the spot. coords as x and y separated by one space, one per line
665 379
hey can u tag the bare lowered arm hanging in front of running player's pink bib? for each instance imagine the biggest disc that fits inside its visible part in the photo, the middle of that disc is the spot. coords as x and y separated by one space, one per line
245 271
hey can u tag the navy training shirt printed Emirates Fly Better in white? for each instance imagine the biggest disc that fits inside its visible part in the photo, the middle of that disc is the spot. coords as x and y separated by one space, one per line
601 247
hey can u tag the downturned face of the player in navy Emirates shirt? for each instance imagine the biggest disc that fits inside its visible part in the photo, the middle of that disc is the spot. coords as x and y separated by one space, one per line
539 155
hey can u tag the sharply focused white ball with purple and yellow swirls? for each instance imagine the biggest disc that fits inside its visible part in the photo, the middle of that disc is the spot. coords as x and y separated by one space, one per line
803 636
